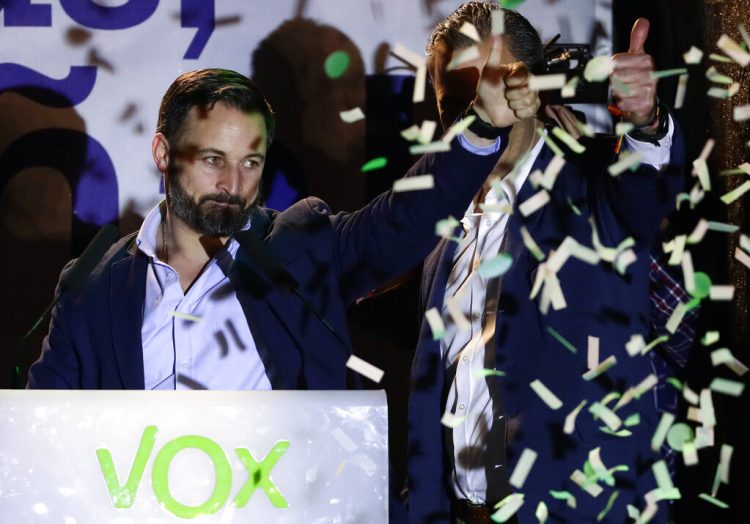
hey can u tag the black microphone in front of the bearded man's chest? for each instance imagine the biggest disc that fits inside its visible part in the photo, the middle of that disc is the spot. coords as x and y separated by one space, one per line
280 277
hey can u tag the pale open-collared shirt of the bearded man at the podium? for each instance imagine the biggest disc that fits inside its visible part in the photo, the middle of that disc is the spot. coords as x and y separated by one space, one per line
200 337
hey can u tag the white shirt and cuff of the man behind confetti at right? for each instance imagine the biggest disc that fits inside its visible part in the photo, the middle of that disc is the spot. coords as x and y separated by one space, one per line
468 394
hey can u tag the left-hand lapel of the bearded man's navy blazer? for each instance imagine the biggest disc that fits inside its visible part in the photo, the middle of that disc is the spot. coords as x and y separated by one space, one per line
126 298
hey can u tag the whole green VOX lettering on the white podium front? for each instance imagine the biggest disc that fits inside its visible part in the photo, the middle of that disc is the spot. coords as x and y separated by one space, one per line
258 474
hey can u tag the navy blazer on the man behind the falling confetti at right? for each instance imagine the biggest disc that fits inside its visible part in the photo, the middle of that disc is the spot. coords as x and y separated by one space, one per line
600 303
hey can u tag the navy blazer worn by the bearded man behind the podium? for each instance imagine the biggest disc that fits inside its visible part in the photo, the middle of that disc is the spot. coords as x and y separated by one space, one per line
94 341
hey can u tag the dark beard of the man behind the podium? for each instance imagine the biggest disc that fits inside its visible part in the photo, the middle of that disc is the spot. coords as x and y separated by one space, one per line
204 216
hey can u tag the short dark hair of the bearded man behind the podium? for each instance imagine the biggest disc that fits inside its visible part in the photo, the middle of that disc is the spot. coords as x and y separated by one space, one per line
204 88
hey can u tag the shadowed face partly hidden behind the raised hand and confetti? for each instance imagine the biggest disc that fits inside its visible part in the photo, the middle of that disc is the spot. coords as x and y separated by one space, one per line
457 88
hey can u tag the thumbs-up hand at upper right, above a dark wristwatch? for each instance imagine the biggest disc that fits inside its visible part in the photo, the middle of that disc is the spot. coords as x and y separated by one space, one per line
633 89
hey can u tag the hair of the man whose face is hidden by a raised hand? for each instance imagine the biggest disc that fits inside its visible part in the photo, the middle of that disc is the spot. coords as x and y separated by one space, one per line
522 38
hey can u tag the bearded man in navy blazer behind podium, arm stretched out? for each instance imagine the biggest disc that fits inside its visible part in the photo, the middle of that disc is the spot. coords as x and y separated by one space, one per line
181 305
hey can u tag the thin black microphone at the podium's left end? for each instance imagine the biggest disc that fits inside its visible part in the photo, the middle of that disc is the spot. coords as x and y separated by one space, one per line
74 277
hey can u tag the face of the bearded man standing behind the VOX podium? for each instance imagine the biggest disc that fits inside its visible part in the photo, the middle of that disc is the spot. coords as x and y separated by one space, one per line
213 172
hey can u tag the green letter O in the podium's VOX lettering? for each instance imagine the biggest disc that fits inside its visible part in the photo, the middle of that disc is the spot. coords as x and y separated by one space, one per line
160 476
